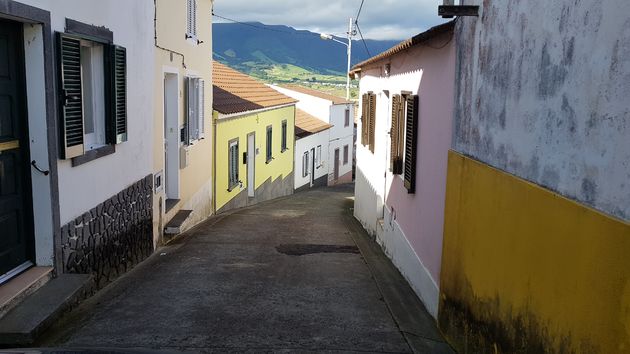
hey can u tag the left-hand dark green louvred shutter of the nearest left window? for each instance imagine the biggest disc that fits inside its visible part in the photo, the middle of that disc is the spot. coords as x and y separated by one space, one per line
71 98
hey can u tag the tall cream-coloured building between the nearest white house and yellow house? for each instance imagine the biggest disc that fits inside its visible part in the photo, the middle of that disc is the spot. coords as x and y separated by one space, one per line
182 147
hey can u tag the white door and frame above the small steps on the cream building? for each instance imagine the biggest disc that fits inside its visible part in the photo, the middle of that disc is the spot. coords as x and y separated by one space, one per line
170 120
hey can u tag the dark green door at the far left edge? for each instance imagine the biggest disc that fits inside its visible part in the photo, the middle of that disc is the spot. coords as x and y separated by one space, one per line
16 235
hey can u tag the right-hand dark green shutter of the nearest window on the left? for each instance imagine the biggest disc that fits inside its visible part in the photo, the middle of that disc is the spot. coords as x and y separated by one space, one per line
118 120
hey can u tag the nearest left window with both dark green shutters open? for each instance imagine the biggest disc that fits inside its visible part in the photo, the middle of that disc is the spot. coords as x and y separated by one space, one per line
93 92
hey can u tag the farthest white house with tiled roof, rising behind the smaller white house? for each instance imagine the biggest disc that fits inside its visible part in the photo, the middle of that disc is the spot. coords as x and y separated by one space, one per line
338 112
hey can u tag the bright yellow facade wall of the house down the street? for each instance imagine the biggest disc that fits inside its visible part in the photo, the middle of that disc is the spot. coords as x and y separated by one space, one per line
239 127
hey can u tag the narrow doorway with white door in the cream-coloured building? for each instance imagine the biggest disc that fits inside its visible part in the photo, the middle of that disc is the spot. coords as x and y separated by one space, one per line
171 139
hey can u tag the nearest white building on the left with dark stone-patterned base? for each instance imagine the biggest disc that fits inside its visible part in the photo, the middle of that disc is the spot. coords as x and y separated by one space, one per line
75 139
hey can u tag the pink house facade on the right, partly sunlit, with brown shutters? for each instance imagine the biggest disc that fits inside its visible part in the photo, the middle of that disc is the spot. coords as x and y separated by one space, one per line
407 221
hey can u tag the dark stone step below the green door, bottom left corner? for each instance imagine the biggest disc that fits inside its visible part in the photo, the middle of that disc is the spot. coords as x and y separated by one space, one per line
36 312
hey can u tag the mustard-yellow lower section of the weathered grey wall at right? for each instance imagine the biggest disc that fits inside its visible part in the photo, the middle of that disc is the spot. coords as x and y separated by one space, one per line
526 270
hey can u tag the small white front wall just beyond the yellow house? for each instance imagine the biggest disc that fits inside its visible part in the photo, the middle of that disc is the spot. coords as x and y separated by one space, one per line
306 144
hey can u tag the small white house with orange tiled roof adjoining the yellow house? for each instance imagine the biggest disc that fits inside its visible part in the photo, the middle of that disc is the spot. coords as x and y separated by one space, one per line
311 151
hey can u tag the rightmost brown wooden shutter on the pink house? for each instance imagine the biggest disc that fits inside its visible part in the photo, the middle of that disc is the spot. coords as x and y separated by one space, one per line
411 143
